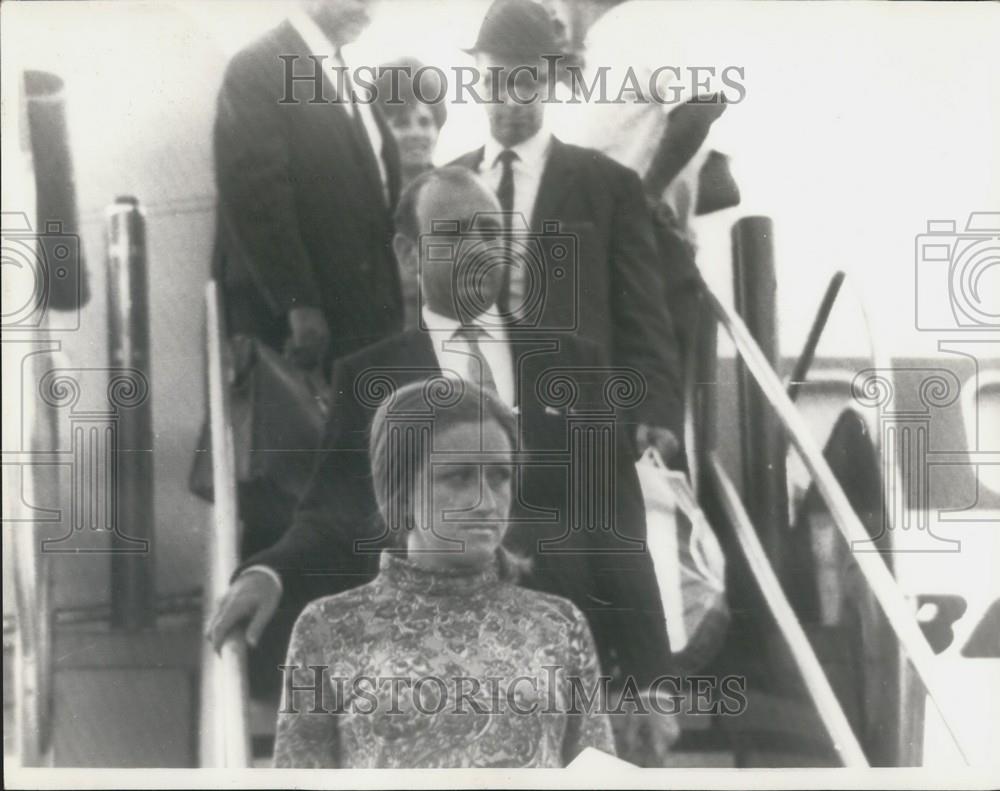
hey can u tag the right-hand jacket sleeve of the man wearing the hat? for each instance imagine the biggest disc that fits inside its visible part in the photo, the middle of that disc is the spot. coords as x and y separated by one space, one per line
644 337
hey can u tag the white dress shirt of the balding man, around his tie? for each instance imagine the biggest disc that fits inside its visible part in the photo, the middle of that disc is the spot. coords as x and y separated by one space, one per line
455 358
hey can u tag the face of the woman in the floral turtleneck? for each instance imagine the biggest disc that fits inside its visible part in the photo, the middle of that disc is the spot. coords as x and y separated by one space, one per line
470 493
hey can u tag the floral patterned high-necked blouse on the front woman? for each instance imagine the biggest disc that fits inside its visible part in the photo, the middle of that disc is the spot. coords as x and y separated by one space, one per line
424 668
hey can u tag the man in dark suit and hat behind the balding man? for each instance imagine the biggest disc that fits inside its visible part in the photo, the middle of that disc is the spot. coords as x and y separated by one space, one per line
615 296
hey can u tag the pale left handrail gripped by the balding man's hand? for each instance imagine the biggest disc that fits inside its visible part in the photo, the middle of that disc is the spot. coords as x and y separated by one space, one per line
224 714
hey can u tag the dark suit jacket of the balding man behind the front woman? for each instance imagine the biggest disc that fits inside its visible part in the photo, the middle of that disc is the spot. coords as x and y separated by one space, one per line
608 574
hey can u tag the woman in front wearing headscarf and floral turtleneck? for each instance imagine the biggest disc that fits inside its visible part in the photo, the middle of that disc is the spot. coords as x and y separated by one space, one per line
442 660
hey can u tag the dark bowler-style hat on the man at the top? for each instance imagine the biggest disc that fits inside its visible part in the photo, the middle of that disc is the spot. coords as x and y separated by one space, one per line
521 29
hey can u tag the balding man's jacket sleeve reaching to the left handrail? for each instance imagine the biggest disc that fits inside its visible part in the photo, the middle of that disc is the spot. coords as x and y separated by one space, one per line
320 555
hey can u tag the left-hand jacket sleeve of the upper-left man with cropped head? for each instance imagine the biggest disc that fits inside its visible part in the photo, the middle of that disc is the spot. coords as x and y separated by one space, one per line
255 186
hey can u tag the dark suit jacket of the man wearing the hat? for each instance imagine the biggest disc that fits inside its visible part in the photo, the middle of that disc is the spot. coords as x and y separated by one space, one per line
618 285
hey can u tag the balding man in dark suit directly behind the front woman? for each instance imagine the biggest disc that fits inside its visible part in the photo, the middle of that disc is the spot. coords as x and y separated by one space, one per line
584 533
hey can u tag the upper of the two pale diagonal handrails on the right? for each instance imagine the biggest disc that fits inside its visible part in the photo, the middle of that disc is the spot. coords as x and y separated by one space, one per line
884 587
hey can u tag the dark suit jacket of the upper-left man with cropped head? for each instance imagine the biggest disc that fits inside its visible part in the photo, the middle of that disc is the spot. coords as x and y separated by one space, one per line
302 219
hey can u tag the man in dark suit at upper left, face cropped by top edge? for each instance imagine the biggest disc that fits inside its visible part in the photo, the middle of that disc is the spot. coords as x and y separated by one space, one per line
307 182
